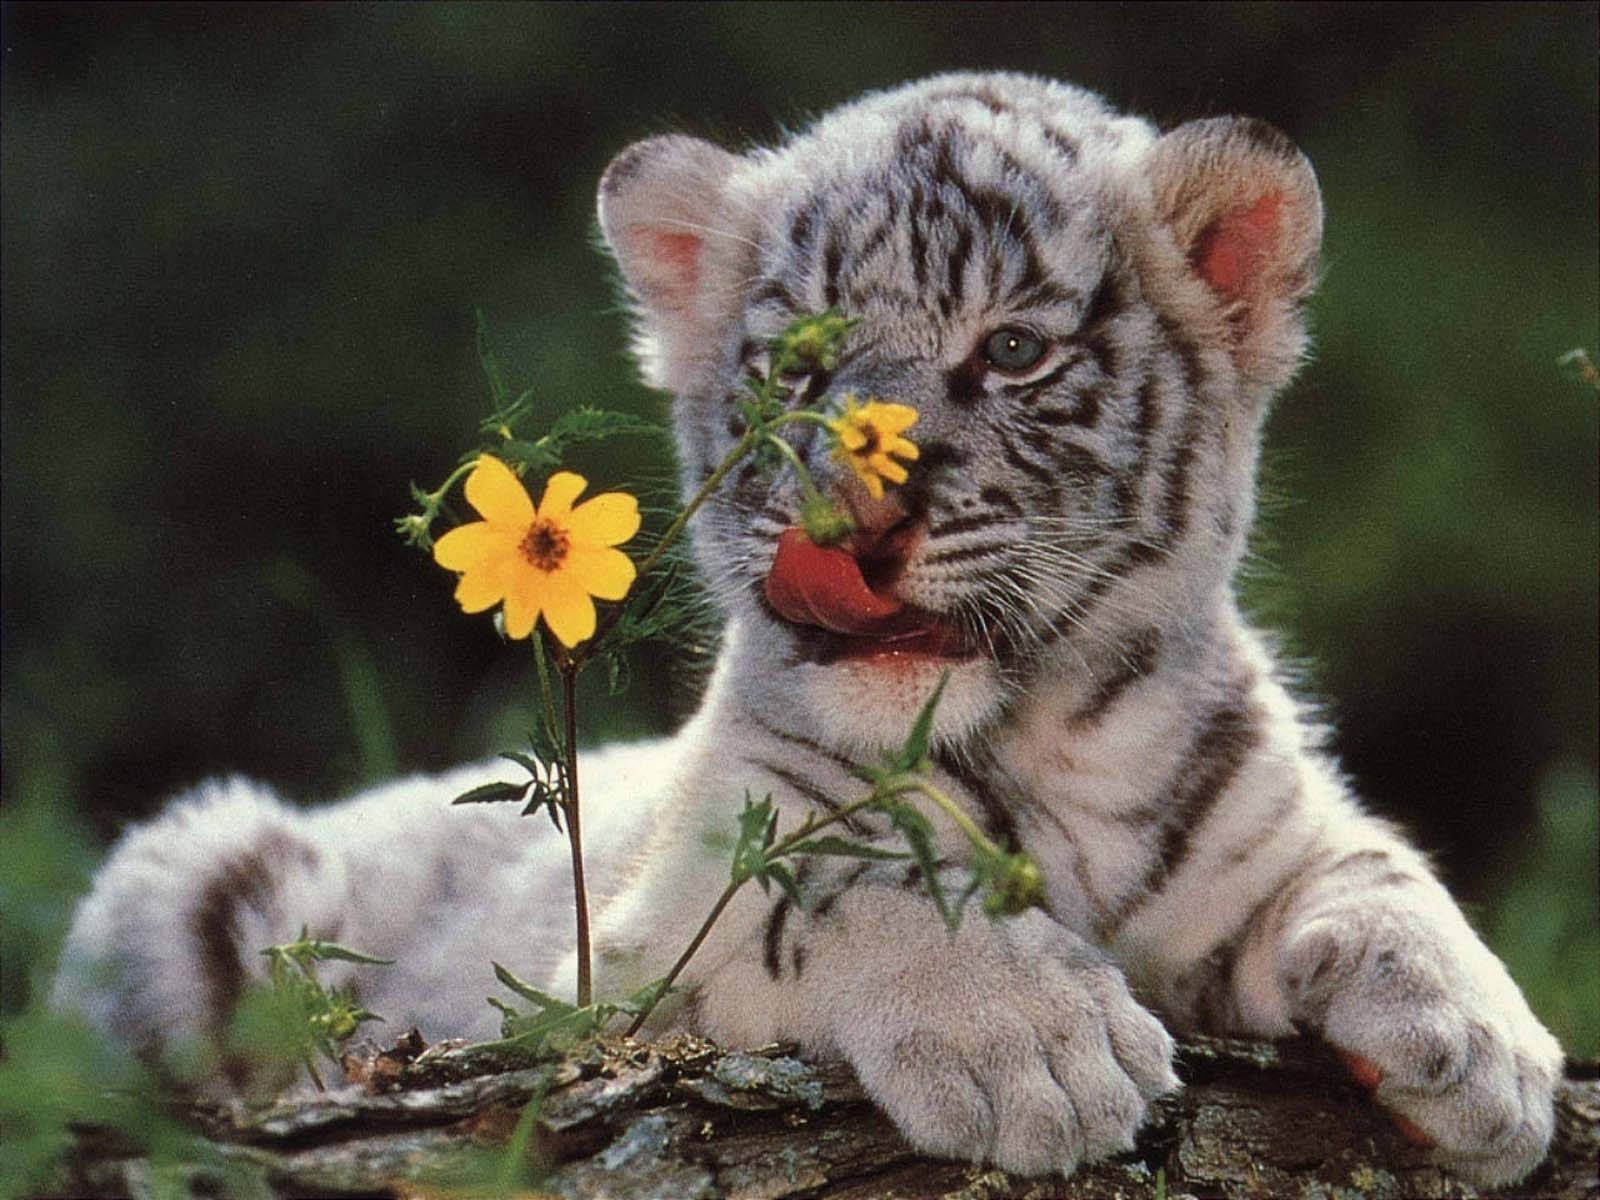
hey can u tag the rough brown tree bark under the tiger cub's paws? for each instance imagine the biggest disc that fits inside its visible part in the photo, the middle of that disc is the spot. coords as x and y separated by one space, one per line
623 1121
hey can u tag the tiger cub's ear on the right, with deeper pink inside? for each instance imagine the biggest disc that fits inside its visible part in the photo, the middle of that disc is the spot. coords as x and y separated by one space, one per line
1244 207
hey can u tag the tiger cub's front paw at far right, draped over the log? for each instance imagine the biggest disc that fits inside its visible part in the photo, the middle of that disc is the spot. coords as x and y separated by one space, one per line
1444 1041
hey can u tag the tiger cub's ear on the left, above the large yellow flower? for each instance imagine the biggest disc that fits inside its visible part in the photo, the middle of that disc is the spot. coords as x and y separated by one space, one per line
662 212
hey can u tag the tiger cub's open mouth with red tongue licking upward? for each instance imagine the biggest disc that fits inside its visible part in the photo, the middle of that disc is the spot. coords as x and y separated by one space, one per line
844 609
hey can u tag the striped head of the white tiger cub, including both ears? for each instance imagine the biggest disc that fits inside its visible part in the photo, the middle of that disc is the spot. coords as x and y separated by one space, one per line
1089 319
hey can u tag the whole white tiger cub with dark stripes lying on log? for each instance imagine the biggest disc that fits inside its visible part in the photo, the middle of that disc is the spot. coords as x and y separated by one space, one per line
1090 319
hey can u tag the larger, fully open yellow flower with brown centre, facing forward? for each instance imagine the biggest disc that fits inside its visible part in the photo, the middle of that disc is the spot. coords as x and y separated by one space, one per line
540 561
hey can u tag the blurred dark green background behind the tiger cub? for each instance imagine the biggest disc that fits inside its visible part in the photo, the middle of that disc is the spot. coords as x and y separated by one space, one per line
242 254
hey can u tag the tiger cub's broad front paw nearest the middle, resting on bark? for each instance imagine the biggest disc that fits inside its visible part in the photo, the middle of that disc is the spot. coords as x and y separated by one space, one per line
1055 1066
